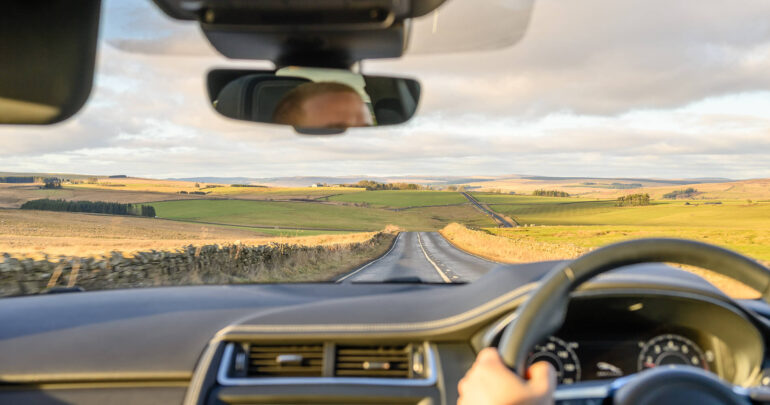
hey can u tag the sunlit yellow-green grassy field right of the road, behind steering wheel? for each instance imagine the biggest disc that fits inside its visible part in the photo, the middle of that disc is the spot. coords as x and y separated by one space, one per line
568 227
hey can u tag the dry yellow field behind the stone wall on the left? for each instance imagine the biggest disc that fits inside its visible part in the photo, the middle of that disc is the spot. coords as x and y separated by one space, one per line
36 233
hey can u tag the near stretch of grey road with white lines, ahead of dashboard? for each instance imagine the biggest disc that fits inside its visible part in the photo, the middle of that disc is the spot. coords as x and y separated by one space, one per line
423 255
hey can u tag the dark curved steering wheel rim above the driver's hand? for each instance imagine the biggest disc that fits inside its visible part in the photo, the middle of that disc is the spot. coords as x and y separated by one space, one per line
544 312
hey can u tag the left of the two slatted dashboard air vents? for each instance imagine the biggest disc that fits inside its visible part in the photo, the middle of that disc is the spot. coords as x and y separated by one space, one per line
285 361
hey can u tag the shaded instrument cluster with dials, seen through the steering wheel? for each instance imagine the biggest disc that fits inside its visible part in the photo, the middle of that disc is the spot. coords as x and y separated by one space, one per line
609 337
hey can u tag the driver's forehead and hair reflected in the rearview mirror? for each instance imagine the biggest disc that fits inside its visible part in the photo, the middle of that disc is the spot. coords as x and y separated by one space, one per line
323 105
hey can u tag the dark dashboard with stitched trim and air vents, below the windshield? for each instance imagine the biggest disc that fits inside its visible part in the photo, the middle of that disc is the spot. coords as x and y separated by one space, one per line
358 343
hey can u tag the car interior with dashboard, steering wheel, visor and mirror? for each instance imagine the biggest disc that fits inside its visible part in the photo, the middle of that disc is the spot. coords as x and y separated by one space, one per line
644 331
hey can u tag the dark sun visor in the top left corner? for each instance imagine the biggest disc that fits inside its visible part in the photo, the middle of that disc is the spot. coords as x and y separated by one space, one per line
48 51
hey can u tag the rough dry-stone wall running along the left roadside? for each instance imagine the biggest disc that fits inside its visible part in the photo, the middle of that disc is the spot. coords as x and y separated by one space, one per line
212 264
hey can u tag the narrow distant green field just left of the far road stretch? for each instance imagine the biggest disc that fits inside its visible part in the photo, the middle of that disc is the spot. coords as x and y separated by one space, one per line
402 199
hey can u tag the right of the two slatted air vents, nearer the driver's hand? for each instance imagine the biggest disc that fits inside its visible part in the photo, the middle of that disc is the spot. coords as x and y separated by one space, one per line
374 361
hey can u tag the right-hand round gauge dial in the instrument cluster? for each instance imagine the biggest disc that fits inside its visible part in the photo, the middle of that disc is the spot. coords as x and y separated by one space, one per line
670 349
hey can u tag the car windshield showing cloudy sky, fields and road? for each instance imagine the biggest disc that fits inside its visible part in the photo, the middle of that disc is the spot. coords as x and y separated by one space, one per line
595 122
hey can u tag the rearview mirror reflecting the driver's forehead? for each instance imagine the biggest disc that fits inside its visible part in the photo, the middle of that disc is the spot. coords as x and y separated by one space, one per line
313 100
